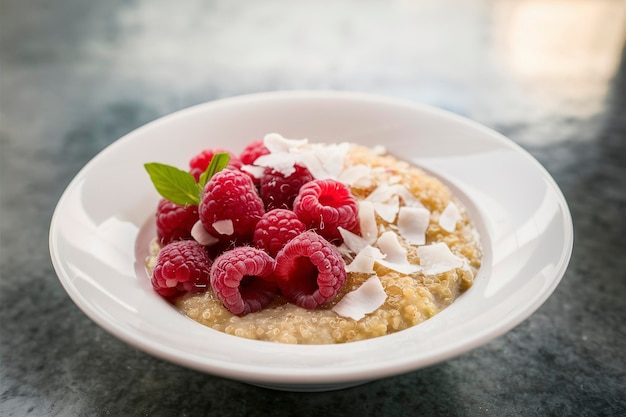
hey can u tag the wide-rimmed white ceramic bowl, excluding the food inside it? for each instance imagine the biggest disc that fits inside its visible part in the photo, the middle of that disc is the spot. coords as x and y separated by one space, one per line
101 226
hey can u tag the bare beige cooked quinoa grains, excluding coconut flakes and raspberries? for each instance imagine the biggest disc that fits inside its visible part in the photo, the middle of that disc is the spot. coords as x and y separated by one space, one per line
411 299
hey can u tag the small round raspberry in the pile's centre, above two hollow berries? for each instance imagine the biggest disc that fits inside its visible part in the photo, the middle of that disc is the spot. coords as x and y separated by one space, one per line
275 229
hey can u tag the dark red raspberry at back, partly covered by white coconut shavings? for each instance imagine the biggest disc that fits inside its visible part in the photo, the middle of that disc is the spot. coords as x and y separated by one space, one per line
279 191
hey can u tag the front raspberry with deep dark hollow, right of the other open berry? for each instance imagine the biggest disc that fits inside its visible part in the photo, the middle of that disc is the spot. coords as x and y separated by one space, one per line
309 270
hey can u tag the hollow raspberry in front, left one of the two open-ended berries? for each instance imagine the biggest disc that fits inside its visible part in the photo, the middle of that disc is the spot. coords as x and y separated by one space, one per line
243 280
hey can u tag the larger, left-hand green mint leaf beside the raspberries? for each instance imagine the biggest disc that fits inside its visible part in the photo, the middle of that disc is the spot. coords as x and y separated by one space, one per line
176 185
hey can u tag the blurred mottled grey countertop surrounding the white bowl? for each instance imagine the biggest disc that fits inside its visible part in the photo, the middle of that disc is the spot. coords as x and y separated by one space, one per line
551 75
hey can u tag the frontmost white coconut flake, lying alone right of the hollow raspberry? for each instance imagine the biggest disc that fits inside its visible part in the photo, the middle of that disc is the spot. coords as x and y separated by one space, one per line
364 300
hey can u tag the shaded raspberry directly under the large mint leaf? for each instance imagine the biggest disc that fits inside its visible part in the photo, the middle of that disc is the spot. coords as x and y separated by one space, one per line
174 222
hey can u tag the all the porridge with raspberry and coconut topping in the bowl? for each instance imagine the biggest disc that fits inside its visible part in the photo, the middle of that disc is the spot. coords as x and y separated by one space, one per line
388 247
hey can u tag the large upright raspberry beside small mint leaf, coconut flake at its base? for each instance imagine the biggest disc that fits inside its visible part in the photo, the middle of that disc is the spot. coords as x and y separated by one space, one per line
230 207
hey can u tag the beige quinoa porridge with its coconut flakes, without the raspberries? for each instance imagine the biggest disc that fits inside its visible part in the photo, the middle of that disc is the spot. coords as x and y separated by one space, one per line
415 240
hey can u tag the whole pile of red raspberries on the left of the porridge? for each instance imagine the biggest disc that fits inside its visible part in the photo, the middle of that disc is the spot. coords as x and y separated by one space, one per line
269 236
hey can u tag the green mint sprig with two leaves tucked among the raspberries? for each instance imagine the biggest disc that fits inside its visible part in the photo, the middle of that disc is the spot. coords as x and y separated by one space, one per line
180 187
